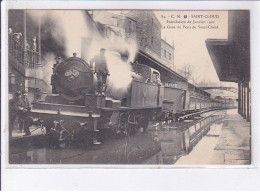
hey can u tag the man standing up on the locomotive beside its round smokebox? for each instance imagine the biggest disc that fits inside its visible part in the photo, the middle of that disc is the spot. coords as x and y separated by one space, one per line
101 70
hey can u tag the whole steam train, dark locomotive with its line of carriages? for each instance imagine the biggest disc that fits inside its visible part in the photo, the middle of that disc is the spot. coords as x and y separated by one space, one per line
76 113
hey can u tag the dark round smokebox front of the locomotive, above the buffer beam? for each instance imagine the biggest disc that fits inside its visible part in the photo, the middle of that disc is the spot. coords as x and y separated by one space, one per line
72 78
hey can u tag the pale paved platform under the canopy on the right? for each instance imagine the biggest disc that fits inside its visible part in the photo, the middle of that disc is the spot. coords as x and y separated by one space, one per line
233 146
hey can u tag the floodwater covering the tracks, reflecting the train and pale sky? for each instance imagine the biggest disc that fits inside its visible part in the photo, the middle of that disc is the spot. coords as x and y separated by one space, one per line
161 143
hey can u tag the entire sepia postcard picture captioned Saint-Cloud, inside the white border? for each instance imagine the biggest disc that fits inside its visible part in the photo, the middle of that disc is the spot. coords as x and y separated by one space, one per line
128 87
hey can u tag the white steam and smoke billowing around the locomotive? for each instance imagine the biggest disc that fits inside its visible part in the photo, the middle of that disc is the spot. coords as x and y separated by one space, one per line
69 27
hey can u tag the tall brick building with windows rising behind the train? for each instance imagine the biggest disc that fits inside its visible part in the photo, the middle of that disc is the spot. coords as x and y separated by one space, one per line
153 51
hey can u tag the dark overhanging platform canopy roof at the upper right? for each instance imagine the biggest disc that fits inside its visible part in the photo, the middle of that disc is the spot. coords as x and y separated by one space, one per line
231 57
